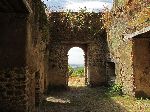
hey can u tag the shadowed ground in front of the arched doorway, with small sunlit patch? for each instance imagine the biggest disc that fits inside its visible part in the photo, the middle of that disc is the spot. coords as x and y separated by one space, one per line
82 99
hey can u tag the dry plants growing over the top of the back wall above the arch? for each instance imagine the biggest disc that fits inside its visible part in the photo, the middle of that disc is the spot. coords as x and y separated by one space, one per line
83 20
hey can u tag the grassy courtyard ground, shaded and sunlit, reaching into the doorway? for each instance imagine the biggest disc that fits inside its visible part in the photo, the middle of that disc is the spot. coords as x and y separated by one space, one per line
84 99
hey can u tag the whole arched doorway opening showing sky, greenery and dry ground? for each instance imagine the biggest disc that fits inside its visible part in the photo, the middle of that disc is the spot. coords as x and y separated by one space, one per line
76 67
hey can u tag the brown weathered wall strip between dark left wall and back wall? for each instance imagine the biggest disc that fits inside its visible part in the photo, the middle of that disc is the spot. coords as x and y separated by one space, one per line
37 54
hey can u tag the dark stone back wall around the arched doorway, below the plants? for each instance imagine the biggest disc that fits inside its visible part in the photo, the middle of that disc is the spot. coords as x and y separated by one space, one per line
63 39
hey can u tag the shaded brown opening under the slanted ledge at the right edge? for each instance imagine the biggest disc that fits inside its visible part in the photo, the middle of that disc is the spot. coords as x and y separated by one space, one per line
141 65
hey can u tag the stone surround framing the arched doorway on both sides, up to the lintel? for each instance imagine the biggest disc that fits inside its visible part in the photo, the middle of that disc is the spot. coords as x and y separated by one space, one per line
94 63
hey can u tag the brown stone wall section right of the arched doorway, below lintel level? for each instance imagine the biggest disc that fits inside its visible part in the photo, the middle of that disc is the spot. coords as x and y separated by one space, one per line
96 64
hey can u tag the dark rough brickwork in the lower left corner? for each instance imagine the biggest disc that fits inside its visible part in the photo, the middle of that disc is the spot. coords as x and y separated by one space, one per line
13 91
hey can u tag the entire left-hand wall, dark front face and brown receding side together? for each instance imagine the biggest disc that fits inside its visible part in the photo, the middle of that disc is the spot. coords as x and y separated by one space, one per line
23 54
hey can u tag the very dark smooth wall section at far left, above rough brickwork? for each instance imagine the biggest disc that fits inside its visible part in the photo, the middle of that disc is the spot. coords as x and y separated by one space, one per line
13 40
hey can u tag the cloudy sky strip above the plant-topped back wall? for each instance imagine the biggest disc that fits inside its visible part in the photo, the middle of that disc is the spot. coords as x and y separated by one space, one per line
75 5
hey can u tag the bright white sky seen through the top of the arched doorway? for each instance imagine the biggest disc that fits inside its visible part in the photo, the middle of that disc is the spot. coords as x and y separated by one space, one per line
76 56
